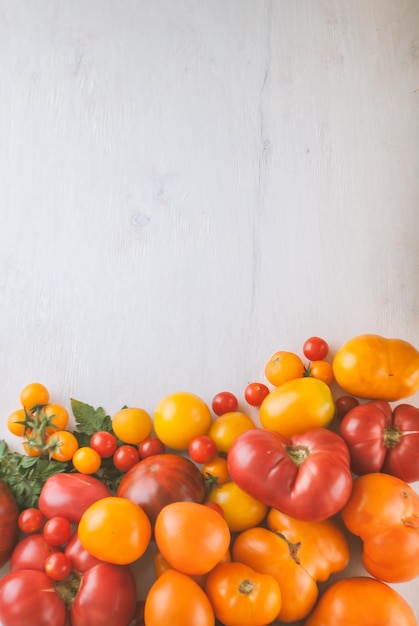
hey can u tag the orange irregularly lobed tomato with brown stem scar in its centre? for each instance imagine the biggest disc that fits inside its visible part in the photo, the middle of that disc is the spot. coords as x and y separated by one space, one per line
298 554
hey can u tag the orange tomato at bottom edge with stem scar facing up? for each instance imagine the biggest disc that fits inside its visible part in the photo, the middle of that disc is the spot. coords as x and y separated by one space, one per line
241 596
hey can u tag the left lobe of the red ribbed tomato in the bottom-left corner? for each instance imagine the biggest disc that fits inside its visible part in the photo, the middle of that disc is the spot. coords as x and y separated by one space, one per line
27 597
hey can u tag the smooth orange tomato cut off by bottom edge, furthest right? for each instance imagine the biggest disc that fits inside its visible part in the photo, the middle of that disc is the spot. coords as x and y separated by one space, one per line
352 601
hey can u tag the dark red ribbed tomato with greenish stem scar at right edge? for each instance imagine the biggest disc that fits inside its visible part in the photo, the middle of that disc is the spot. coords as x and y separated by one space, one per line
382 439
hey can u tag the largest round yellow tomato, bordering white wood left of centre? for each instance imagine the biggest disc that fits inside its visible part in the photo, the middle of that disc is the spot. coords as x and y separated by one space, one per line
179 417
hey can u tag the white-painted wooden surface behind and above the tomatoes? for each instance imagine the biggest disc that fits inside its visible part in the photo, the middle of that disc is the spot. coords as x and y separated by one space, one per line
189 186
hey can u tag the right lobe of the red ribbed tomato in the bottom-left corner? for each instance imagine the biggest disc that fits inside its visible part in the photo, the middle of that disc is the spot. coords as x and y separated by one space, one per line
107 595
